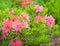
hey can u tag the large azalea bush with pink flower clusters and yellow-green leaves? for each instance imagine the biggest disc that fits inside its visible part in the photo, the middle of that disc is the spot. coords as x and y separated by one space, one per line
26 23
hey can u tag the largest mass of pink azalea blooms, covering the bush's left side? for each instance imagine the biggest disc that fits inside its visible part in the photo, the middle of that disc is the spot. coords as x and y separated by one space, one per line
15 24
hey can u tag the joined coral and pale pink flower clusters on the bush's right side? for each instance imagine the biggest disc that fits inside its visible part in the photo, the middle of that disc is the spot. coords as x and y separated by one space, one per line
49 20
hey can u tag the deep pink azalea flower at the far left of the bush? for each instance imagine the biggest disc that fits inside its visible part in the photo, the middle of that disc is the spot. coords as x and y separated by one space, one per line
6 27
